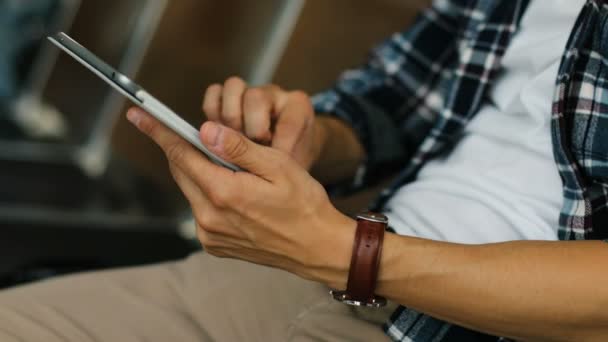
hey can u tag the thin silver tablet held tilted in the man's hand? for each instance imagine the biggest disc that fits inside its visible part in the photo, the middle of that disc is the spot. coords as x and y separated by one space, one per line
136 94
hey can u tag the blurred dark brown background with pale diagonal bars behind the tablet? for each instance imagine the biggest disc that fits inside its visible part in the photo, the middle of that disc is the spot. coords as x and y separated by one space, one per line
80 189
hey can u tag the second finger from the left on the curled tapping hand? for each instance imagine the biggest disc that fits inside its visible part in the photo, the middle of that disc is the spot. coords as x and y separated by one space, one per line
232 103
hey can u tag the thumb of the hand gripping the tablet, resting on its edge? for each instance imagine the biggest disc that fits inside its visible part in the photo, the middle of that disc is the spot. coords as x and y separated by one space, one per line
235 148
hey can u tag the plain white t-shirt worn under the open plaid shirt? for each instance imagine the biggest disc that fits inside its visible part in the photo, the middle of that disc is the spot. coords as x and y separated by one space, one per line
501 182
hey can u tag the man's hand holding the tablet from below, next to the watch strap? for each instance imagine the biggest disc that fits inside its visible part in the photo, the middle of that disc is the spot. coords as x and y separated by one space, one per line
276 214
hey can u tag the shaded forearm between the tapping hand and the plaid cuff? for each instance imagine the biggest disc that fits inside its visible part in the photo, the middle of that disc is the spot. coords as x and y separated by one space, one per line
340 152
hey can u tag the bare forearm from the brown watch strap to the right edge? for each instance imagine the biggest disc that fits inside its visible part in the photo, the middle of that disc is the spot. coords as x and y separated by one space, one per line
524 290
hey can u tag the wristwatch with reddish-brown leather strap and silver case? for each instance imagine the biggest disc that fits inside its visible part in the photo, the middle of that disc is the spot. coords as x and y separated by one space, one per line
365 261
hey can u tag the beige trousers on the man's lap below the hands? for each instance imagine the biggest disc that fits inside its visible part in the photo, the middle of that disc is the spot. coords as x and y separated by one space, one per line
201 298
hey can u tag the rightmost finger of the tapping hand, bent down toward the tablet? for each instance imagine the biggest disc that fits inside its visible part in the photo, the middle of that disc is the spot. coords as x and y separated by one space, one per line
293 121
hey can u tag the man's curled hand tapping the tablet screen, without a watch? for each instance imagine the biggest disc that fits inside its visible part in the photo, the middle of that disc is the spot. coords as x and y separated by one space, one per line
268 115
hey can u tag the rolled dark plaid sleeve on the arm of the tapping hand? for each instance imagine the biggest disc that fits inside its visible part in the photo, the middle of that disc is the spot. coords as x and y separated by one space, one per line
388 101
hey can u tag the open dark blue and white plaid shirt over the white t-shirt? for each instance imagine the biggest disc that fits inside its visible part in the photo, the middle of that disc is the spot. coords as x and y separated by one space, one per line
421 87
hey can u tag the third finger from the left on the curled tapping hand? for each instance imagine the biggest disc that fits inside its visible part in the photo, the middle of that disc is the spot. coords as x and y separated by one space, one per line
257 108
